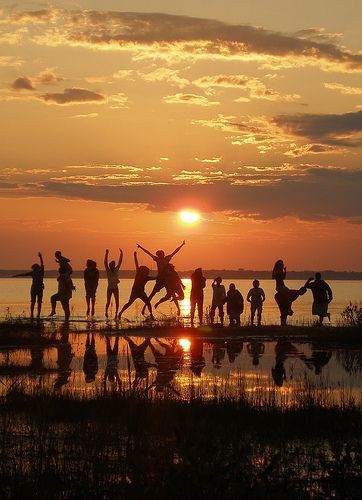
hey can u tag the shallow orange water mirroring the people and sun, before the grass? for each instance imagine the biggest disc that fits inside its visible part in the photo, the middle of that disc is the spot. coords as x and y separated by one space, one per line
264 372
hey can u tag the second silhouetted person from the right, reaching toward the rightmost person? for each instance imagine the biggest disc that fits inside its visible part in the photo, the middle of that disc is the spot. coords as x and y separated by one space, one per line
284 296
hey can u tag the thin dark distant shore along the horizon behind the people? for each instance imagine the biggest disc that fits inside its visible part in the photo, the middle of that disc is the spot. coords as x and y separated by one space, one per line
212 273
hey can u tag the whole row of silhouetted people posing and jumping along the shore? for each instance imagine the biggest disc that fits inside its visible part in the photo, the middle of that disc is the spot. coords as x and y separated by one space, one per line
168 279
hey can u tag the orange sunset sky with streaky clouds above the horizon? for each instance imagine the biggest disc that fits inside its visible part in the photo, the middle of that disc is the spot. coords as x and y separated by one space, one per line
117 115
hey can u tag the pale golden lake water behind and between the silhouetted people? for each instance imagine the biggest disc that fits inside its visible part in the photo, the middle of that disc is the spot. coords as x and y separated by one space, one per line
14 299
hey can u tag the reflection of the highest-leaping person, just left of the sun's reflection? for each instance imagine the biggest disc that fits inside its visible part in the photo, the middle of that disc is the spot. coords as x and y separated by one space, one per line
168 363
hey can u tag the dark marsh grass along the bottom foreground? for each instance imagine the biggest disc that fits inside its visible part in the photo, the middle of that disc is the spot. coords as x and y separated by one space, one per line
126 446
